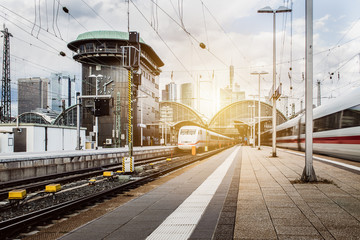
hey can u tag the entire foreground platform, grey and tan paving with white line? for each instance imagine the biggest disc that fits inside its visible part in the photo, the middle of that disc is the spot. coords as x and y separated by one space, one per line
240 193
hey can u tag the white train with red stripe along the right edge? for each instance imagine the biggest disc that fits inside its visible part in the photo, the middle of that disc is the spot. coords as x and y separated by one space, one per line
336 129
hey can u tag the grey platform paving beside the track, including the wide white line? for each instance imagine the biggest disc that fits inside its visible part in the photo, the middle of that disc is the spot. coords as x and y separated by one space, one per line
187 206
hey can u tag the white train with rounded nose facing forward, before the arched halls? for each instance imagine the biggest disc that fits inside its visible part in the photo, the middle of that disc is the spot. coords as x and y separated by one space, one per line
190 136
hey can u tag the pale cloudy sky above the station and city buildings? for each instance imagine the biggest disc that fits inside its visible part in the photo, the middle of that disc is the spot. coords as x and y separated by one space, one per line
232 31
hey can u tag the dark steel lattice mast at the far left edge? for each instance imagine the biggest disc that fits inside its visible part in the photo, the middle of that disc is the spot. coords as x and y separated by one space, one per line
5 115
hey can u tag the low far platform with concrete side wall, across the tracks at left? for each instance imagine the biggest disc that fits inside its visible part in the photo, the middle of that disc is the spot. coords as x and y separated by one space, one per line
23 165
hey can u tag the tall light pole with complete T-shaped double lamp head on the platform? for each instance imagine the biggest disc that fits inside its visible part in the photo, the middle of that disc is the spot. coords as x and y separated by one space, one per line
268 9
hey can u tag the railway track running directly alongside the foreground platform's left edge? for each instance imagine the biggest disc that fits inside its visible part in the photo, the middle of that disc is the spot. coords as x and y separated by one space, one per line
13 226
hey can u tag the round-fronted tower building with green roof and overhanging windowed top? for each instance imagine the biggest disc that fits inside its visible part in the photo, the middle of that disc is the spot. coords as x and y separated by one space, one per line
101 54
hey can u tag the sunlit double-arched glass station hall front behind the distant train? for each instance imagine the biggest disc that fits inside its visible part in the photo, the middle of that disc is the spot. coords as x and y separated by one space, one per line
236 120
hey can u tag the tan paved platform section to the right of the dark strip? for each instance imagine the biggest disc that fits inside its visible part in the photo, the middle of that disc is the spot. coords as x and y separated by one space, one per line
271 207
